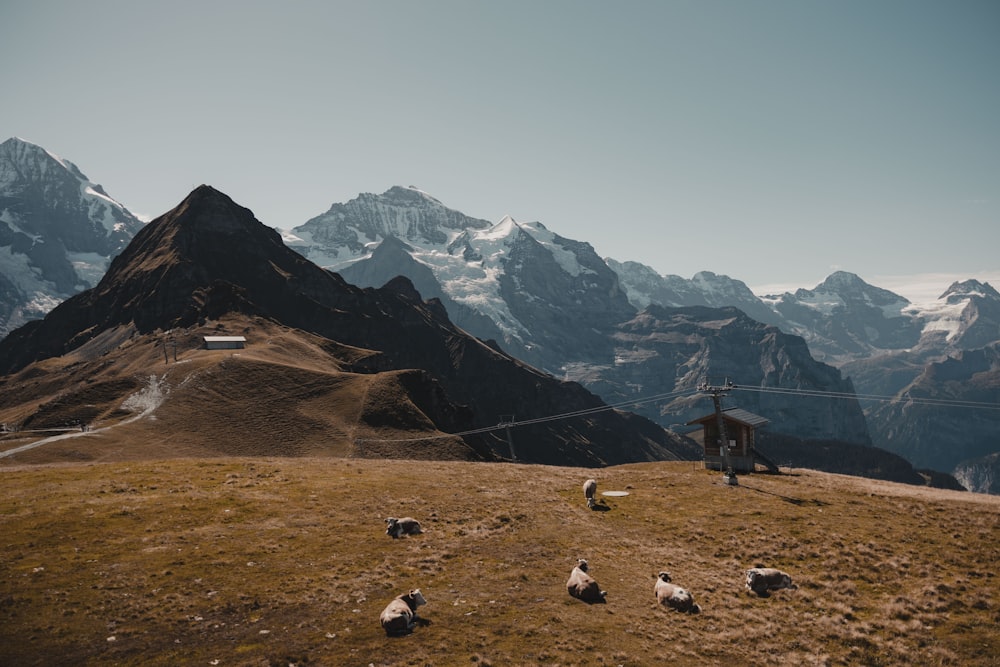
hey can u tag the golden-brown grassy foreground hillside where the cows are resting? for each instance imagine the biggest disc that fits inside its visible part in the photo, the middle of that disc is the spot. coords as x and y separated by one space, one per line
268 561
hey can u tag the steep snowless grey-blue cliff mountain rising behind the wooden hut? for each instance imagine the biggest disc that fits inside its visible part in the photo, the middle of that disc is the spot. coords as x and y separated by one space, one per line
673 350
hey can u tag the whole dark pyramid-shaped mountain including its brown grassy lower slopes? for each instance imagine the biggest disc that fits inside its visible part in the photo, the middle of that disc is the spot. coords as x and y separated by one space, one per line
386 372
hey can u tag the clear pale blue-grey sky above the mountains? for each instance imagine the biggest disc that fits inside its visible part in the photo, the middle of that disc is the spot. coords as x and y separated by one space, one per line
771 141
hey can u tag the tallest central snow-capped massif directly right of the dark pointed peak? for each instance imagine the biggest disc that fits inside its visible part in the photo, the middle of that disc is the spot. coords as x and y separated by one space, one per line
515 282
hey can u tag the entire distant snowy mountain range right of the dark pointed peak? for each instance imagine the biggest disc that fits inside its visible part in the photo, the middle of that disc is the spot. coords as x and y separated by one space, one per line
630 335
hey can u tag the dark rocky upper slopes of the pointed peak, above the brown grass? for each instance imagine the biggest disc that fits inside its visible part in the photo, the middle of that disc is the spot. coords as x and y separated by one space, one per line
210 259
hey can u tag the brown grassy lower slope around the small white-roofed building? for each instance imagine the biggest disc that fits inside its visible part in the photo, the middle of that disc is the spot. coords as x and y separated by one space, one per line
284 395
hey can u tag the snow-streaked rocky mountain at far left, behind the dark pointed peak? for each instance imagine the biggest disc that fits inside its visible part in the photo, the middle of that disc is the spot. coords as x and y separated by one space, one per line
58 231
